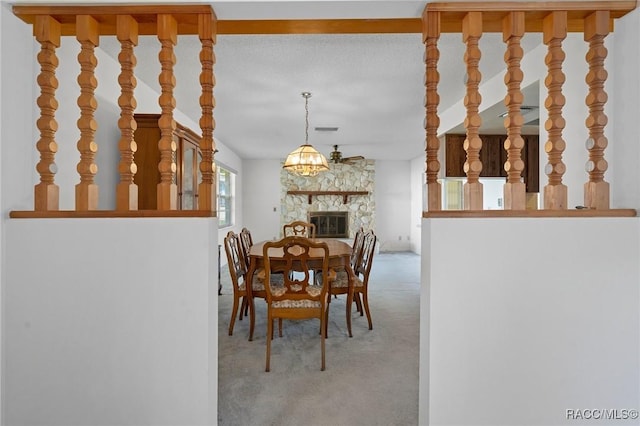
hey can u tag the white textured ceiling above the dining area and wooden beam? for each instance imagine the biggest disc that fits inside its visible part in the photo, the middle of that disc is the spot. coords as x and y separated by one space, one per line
370 86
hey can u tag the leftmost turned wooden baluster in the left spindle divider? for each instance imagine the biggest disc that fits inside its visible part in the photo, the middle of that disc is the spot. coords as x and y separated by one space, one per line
46 193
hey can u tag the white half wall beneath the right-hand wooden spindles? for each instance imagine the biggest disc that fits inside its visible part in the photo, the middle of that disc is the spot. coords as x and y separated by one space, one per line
529 318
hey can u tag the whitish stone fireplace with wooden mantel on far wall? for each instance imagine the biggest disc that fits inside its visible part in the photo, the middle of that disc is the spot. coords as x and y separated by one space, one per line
347 189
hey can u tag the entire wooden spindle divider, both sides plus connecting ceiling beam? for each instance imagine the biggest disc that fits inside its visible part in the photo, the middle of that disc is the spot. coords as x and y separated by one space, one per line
471 19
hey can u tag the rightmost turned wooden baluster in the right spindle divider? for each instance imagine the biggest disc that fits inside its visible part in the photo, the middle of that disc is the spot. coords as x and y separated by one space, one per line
596 190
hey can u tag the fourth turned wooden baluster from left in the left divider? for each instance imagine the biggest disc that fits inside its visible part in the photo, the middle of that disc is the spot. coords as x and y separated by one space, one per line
167 193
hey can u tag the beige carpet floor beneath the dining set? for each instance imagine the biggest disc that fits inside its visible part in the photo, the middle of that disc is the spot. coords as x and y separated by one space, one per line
371 378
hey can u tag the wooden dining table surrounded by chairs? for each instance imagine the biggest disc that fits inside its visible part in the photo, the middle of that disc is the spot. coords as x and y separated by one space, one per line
339 257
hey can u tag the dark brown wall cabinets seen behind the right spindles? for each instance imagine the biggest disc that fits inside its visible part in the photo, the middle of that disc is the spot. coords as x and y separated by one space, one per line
493 157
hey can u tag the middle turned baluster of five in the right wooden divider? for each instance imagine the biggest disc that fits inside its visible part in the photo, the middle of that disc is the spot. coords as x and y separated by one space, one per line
514 189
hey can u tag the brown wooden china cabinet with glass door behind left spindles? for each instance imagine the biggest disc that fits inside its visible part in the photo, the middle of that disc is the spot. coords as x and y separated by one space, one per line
147 157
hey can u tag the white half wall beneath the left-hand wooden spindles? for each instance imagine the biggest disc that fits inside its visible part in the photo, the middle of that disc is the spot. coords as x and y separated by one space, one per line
131 340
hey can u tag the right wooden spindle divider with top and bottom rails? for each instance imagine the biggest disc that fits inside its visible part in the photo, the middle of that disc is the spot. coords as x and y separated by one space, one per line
553 20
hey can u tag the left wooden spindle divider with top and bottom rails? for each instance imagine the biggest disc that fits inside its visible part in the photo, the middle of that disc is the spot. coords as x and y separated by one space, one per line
88 23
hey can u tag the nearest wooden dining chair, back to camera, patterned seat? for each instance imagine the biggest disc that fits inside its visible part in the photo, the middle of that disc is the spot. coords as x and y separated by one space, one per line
300 297
